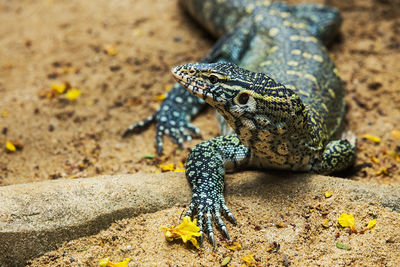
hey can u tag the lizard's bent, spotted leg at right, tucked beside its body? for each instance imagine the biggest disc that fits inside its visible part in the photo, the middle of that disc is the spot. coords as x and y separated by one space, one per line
338 156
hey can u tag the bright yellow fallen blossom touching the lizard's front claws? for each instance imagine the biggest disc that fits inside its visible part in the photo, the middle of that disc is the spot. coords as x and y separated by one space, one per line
187 231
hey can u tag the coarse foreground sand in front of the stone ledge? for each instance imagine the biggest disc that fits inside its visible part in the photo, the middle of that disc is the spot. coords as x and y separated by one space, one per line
302 239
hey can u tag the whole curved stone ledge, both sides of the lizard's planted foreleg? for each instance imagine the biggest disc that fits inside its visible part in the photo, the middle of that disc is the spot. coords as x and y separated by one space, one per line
36 217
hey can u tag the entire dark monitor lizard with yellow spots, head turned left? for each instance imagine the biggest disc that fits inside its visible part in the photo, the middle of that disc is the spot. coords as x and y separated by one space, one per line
270 77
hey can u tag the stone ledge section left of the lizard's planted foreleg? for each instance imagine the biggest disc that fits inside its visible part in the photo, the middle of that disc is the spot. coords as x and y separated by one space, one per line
36 217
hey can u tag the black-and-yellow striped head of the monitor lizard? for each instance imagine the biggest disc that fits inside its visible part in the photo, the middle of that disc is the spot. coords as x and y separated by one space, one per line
247 100
